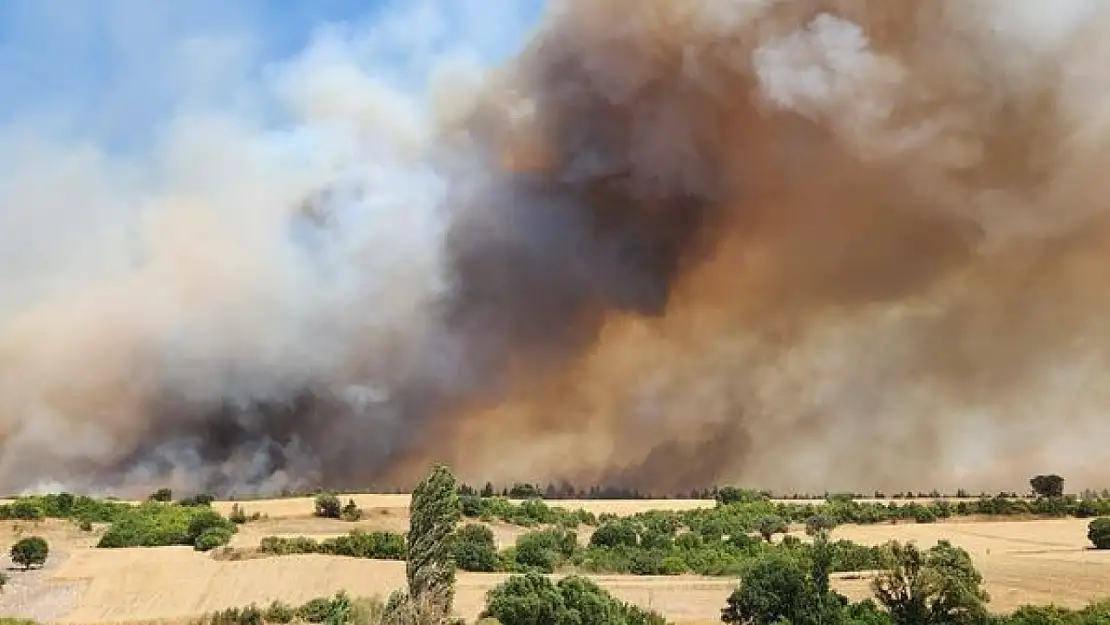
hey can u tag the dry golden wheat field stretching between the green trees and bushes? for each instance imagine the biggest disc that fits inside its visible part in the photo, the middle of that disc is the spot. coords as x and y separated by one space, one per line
1023 562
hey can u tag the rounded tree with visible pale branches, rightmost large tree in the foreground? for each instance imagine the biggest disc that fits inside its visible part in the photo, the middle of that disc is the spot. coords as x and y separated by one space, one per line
940 587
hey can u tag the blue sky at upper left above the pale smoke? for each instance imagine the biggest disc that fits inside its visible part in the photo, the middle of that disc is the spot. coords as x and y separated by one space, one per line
113 70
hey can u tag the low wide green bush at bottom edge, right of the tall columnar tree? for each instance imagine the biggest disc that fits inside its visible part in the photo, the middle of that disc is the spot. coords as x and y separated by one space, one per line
536 600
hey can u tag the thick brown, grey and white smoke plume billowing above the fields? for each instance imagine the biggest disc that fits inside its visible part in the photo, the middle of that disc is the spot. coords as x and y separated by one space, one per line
798 245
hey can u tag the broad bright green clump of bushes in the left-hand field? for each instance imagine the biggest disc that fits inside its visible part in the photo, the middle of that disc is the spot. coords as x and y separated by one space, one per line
158 525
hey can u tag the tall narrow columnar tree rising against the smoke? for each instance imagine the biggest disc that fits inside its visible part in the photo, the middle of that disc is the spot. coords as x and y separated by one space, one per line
430 568
